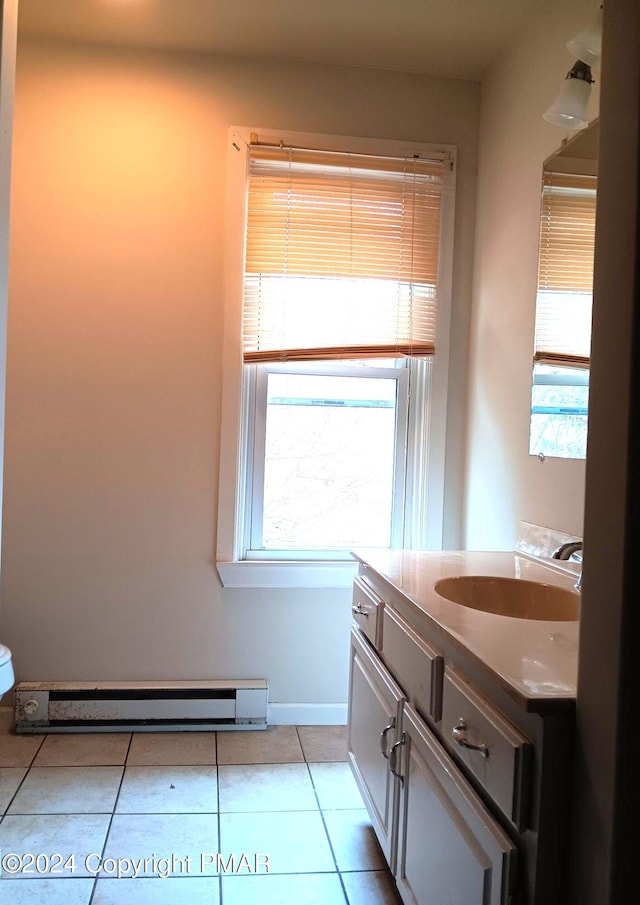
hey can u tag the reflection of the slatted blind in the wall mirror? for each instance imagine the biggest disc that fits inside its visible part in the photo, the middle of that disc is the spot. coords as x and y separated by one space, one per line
565 270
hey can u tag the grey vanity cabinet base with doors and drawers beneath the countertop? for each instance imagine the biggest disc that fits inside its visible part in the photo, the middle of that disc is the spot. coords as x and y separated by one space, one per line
467 795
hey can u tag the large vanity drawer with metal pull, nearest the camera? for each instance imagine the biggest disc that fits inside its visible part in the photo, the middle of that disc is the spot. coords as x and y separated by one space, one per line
501 759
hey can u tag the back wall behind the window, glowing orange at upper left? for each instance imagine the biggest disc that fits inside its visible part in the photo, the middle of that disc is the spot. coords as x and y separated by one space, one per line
114 360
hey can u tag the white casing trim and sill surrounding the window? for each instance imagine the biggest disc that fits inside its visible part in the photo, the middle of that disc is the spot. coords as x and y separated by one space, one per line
424 479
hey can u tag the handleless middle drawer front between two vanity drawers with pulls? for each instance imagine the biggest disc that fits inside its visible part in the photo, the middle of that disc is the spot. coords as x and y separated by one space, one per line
414 664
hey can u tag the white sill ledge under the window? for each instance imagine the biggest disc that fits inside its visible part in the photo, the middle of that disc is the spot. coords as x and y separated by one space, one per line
287 574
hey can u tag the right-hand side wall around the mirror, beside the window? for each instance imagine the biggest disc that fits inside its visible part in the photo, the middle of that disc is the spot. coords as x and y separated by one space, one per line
504 484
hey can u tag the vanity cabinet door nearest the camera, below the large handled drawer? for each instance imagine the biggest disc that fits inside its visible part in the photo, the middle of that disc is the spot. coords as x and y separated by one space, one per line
451 851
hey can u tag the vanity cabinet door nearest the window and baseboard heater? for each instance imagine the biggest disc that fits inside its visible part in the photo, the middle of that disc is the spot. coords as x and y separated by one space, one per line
375 709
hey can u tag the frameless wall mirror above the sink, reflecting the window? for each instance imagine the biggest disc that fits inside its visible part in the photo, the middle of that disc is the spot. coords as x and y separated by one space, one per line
560 384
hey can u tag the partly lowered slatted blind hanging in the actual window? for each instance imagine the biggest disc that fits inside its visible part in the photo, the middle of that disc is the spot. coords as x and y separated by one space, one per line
341 255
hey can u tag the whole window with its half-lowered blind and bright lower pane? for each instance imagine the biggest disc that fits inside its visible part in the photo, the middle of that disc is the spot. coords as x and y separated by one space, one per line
343 302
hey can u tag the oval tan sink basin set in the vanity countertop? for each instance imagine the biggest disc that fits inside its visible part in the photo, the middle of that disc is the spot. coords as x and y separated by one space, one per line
514 597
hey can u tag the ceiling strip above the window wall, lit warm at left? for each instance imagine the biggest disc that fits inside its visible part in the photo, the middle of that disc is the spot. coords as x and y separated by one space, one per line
453 38
